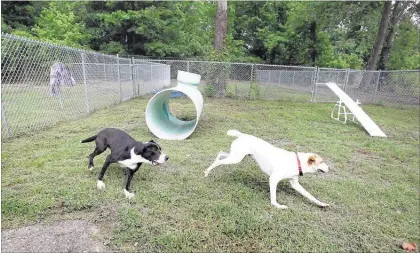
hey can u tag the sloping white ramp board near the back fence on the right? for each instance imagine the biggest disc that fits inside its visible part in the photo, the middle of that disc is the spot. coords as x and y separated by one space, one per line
360 115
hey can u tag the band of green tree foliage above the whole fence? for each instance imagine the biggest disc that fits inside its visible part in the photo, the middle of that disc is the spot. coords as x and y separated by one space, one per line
324 34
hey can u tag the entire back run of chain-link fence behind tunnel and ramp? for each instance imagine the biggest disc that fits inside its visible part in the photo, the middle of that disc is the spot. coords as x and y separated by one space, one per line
297 83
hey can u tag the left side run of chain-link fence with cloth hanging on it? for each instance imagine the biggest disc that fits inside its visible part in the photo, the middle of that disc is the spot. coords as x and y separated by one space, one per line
43 84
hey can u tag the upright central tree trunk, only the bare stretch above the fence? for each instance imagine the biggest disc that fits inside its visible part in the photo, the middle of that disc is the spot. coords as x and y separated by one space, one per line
221 24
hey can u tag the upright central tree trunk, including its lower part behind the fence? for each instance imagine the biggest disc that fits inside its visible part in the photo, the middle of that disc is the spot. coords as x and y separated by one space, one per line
220 73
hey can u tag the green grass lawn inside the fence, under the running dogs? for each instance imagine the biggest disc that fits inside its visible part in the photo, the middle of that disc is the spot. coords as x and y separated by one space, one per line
373 185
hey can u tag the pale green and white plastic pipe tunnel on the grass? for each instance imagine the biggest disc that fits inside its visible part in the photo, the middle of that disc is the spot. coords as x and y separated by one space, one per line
159 118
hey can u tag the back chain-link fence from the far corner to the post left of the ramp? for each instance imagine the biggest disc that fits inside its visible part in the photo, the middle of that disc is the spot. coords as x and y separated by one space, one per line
248 81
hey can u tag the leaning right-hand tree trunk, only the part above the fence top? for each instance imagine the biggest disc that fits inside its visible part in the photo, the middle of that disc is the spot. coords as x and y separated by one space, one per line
374 57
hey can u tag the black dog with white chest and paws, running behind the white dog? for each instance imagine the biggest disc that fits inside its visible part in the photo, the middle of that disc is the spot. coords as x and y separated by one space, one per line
126 151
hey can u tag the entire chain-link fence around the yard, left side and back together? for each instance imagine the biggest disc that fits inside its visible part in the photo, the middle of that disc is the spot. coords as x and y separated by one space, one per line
31 99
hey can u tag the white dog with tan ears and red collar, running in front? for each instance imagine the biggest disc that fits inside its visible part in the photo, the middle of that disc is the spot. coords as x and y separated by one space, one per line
277 163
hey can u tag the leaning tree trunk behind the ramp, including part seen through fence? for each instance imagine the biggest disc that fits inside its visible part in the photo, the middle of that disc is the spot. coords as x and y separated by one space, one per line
374 57
